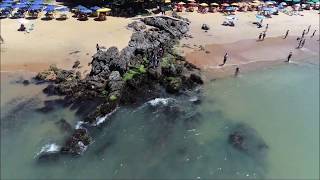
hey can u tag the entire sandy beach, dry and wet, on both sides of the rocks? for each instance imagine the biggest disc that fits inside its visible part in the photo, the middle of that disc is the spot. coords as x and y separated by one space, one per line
63 42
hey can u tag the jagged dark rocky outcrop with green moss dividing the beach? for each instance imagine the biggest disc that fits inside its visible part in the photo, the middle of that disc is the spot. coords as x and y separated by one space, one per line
134 74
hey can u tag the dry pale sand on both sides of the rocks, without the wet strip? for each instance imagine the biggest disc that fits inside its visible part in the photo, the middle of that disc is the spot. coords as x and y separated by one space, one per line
63 42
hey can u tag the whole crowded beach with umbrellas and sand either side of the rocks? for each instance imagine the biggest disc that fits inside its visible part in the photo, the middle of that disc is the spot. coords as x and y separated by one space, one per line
46 38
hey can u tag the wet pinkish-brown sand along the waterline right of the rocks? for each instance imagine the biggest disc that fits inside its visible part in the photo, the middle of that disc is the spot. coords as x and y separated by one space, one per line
250 55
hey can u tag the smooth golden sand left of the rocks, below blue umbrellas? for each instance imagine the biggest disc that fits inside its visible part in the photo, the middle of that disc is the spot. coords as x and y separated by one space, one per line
59 42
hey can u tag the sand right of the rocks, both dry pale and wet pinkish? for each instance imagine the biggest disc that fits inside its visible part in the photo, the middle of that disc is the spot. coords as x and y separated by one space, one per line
206 49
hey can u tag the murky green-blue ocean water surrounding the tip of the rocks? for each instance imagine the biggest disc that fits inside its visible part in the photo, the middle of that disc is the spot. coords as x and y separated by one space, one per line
174 137
